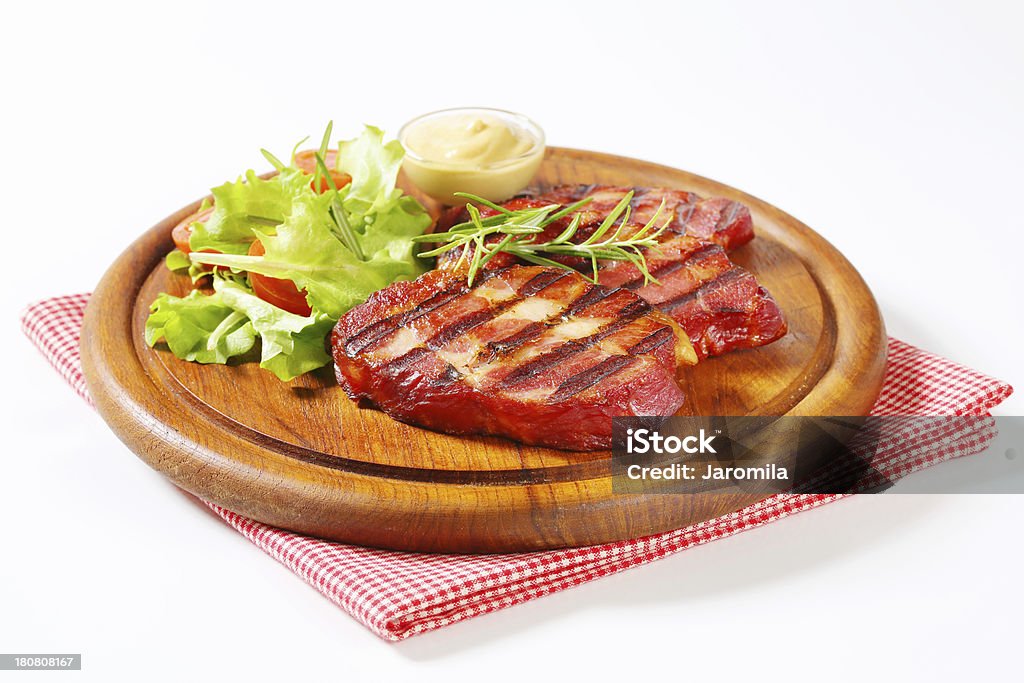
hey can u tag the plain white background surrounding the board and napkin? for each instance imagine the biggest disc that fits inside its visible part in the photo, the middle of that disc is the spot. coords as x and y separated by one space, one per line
893 130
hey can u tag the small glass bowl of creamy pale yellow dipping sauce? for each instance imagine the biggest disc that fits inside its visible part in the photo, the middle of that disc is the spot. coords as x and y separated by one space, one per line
489 153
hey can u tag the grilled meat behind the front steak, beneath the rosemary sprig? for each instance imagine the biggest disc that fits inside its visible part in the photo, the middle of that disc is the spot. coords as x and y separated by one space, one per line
719 305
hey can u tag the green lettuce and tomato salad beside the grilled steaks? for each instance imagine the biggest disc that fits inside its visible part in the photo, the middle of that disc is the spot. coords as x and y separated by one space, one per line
288 255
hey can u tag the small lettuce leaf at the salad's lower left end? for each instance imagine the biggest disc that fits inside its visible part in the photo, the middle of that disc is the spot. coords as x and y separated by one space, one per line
199 328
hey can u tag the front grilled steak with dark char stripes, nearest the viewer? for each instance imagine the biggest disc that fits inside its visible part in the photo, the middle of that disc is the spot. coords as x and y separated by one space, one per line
536 355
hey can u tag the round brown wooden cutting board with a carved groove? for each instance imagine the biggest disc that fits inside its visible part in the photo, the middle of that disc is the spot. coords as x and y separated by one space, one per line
302 456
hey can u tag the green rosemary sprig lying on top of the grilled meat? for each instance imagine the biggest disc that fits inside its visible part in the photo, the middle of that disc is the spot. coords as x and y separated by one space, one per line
519 230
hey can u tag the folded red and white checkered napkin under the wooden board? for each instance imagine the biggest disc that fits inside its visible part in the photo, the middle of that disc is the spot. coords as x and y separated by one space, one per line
399 595
